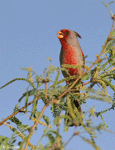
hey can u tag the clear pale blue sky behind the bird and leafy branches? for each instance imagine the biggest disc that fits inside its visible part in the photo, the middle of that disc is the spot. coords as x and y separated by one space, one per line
28 36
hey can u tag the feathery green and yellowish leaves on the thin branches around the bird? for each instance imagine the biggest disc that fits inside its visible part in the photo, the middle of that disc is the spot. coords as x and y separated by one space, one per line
102 76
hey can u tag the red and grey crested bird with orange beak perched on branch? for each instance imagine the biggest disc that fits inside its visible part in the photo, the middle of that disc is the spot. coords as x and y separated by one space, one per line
72 54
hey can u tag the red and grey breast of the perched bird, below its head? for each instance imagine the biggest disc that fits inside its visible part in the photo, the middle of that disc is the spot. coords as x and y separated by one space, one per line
72 56
